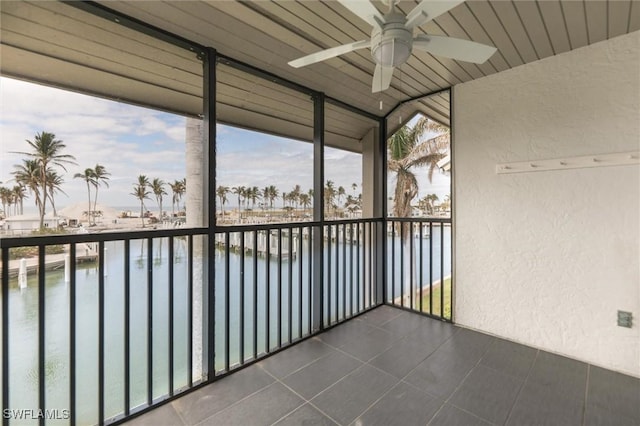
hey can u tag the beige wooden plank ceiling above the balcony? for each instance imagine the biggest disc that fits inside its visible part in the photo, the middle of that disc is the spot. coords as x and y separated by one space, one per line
58 44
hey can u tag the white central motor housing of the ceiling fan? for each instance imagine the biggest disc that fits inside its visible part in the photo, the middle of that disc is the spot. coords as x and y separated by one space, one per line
391 42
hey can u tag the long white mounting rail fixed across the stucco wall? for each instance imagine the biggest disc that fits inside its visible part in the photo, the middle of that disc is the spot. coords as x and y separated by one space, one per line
600 160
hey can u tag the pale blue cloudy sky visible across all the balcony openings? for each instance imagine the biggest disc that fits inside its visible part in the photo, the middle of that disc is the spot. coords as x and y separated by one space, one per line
130 140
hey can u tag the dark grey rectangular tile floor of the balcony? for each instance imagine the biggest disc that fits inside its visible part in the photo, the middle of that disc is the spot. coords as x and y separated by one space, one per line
392 367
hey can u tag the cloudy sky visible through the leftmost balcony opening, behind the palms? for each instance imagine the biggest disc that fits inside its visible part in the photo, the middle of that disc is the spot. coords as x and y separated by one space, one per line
127 140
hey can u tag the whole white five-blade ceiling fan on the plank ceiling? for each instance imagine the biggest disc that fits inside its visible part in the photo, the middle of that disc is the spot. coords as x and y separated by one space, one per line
392 39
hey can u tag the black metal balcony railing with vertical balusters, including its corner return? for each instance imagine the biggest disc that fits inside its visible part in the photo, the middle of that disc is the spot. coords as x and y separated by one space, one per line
116 323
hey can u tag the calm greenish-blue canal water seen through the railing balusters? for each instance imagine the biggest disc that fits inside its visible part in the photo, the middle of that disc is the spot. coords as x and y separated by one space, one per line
283 285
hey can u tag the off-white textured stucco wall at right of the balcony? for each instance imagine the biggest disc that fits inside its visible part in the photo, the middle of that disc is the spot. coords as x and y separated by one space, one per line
547 258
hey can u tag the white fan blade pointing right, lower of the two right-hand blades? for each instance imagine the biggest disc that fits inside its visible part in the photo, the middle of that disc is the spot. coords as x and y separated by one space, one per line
454 48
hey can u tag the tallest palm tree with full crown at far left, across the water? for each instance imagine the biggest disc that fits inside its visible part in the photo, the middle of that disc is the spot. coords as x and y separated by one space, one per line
47 152
